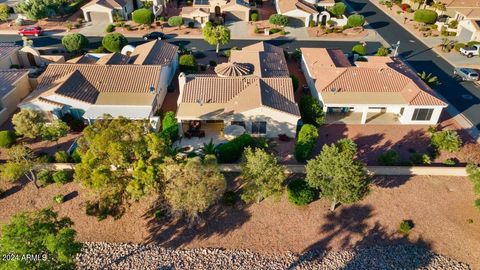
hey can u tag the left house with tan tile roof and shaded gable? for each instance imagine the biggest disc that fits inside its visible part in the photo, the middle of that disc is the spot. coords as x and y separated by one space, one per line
132 86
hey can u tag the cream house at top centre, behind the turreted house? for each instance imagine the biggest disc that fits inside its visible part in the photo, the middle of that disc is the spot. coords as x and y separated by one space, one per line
204 10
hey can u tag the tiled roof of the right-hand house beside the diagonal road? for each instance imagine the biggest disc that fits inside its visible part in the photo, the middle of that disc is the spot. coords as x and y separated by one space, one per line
381 76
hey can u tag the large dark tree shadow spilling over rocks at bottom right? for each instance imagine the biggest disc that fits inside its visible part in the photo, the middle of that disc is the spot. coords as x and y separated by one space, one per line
349 222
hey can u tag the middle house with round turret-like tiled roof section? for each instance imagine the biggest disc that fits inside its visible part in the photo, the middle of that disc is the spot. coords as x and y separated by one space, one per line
252 90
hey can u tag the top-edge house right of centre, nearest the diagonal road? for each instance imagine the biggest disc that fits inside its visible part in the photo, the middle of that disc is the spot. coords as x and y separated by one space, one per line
301 12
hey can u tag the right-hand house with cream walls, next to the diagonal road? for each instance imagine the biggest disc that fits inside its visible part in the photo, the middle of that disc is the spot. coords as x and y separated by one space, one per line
382 90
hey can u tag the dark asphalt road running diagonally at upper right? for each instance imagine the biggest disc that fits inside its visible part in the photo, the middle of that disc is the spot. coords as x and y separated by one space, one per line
464 96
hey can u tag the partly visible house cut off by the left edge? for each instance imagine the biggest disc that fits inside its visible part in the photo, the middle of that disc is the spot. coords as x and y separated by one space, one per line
14 86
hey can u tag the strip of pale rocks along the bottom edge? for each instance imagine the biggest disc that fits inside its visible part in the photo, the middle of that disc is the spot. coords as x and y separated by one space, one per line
132 256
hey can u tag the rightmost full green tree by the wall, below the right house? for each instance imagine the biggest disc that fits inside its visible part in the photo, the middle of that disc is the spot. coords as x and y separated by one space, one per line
337 174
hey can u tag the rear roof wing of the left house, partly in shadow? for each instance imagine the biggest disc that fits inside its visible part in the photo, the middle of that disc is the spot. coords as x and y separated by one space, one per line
155 52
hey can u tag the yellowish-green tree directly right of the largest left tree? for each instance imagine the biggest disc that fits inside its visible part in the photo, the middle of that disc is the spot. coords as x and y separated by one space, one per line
193 186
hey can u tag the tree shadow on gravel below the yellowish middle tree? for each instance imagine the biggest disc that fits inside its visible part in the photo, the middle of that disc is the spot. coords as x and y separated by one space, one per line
220 219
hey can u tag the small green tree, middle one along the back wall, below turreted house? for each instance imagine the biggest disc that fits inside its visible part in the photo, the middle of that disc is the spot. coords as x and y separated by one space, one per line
261 174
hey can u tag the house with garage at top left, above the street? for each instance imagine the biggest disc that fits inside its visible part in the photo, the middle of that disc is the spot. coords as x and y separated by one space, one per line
106 10
